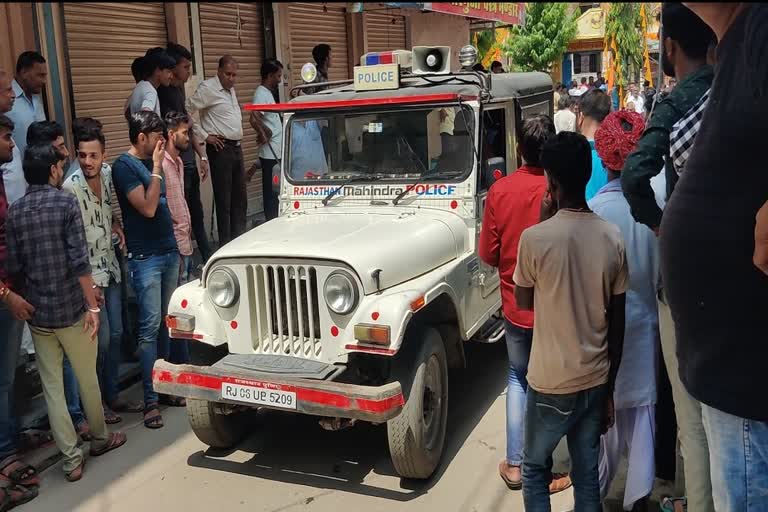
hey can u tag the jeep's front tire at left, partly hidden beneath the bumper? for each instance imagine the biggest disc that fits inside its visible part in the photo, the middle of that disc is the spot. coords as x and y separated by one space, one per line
212 427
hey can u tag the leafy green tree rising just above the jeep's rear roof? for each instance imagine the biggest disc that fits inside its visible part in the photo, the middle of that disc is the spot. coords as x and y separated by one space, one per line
542 41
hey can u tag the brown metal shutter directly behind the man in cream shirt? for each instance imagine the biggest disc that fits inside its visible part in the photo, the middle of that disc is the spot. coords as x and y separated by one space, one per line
237 29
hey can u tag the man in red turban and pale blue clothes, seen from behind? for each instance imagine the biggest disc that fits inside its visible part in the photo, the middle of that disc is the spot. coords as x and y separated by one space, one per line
635 393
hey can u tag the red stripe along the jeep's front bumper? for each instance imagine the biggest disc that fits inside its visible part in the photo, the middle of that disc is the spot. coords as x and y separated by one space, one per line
303 394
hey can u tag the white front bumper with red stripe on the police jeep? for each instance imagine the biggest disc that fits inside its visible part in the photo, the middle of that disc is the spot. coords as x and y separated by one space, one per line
377 404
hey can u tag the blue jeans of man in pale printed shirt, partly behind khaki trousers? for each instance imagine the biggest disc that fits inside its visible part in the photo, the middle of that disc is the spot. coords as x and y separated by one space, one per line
108 362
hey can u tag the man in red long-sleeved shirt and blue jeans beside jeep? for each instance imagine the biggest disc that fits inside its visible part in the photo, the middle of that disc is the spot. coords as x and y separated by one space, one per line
513 205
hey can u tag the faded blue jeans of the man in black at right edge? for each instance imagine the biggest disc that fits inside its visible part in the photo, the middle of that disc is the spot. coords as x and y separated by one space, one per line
738 460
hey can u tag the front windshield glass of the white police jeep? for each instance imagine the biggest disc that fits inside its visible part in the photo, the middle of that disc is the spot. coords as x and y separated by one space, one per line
388 146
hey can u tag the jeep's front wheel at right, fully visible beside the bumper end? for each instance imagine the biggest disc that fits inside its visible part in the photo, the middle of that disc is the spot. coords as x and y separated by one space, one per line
417 435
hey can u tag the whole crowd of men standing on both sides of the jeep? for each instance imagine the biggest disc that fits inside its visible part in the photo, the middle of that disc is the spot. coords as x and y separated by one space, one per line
587 235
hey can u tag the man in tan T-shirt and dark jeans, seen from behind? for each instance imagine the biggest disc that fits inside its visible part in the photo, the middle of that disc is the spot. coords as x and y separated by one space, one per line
572 267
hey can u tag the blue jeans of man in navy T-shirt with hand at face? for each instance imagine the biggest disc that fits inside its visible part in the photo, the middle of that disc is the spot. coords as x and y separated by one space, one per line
153 278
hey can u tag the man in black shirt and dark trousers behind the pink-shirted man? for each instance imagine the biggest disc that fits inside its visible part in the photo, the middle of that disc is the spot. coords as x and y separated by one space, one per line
172 99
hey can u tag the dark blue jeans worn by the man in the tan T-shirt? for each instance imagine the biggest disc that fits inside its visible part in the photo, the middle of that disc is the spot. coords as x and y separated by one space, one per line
579 417
